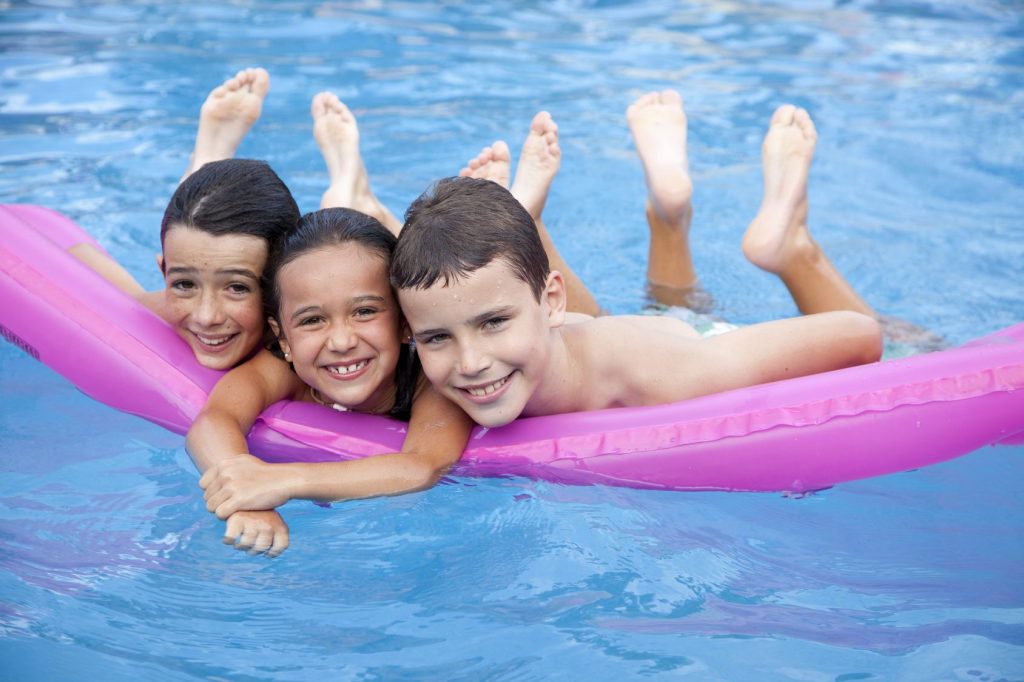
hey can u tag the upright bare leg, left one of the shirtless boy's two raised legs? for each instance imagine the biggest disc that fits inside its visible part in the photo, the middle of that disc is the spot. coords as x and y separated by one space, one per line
659 126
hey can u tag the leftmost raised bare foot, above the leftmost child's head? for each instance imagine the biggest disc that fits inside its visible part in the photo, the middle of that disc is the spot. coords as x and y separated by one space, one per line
229 113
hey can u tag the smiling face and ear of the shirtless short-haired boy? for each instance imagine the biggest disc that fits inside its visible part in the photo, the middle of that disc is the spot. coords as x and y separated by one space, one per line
485 340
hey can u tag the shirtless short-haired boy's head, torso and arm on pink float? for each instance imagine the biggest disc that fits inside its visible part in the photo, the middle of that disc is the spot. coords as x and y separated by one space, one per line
490 322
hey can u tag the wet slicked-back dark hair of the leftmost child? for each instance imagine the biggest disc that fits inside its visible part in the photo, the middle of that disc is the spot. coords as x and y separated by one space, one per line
233 197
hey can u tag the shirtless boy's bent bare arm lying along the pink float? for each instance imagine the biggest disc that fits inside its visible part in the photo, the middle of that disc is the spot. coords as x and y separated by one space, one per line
760 354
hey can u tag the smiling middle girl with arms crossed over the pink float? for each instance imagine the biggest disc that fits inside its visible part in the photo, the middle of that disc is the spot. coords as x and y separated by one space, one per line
333 312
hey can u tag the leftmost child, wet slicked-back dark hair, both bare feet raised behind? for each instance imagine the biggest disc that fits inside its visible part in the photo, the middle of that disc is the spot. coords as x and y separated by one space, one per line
233 211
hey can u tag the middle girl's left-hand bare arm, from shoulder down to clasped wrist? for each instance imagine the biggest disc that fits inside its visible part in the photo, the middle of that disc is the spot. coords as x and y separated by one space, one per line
220 431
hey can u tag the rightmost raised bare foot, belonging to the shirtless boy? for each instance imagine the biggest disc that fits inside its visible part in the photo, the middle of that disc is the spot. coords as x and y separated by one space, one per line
779 233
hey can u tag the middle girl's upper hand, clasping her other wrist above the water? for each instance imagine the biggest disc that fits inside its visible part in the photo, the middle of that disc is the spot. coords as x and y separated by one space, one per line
244 482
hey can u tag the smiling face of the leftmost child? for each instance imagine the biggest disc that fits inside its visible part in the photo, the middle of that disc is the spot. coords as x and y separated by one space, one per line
212 296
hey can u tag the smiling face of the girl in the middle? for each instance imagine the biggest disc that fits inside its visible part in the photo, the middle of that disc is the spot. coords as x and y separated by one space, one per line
340 325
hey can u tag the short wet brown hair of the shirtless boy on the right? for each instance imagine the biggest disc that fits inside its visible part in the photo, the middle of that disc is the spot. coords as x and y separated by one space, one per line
461 225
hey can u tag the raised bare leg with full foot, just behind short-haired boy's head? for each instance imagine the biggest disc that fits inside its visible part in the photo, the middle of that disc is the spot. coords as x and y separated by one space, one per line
539 162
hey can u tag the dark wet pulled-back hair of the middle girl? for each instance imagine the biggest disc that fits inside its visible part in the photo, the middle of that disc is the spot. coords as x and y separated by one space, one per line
332 228
